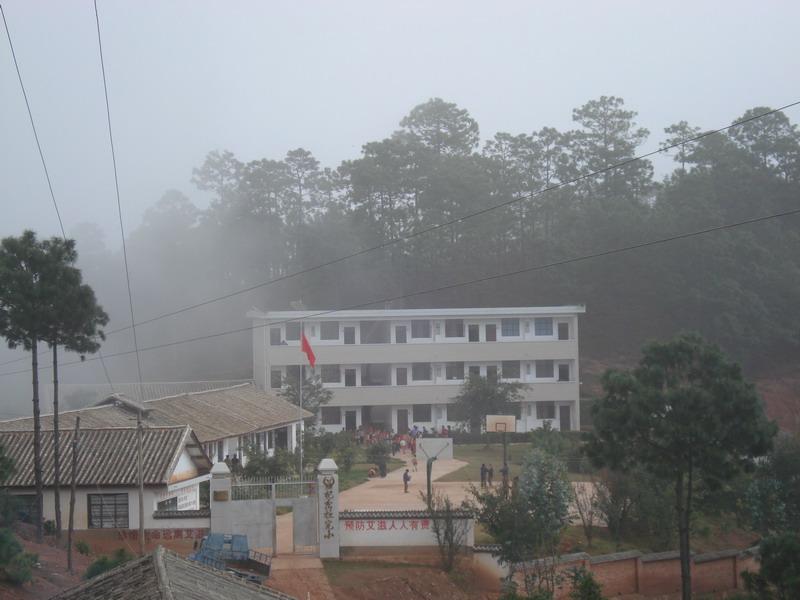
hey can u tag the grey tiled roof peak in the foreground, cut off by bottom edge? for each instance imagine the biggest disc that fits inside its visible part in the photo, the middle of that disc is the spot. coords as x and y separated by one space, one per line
164 575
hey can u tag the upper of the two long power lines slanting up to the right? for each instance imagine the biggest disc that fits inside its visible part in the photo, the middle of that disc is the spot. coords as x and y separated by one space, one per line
456 220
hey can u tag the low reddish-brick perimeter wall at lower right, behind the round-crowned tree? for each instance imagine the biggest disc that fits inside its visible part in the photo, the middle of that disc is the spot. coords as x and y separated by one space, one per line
647 574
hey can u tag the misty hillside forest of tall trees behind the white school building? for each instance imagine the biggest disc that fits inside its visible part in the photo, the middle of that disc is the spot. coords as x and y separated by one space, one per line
269 218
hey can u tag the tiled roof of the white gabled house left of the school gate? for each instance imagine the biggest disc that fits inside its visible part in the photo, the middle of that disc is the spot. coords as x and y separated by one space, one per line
105 457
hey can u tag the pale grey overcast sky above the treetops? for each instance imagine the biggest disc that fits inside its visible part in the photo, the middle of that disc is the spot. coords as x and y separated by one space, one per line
259 78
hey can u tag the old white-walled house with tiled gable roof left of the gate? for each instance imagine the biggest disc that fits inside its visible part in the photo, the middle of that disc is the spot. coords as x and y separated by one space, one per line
174 466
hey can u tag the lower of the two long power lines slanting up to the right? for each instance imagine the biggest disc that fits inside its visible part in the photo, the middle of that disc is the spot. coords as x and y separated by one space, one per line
540 267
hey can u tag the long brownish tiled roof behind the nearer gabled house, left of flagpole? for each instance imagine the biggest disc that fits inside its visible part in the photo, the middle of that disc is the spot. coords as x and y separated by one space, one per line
212 415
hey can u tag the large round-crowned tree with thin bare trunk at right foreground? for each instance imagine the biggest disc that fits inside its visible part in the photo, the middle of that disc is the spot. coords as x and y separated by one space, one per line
686 415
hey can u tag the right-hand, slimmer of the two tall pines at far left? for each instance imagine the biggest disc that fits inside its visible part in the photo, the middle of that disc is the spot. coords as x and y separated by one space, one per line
74 323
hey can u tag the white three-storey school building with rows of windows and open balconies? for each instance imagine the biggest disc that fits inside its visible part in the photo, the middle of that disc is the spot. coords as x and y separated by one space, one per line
397 368
